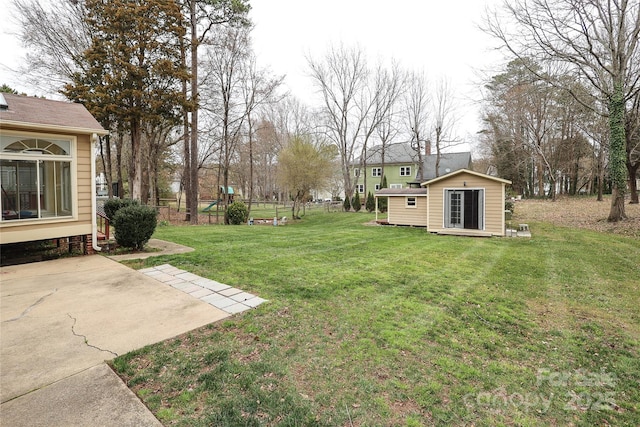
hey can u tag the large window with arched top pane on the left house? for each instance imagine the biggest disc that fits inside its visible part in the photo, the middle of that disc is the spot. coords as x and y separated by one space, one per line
36 178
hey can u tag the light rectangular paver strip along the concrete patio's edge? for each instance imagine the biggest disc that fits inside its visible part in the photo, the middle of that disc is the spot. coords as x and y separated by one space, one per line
217 294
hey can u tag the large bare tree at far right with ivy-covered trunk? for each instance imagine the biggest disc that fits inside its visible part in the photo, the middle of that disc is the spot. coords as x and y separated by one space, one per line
597 40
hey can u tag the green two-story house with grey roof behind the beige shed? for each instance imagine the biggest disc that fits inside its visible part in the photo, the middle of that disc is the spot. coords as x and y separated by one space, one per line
401 167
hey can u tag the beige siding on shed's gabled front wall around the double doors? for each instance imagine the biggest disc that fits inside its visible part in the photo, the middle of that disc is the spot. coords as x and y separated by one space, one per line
493 201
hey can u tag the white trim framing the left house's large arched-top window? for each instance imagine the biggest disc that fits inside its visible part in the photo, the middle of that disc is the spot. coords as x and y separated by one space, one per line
72 158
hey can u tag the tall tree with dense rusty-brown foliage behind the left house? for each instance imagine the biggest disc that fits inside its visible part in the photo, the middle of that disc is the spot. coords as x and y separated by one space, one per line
133 73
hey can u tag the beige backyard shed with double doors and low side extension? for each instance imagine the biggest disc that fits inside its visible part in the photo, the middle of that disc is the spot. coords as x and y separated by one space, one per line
462 202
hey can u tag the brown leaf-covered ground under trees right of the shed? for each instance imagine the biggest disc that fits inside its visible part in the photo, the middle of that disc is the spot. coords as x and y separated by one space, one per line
578 212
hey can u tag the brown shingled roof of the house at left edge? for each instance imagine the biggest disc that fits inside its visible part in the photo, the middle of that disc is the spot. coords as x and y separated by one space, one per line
25 111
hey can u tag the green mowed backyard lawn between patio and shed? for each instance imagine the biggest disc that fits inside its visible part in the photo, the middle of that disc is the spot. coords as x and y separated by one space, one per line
382 326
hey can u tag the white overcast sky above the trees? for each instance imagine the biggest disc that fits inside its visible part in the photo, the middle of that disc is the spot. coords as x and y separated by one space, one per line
438 37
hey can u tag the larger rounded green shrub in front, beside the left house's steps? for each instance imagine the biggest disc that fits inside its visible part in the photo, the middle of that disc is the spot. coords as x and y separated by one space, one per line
135 225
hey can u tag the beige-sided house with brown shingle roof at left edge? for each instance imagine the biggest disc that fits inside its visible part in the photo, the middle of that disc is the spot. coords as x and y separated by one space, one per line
47 170
